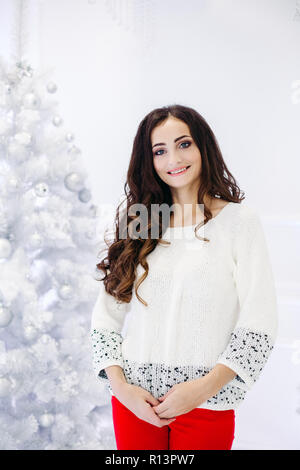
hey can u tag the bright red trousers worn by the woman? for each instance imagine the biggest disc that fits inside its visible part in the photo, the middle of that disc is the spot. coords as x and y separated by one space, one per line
199 429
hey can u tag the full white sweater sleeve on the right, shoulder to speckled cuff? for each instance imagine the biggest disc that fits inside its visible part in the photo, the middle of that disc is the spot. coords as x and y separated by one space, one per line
255 331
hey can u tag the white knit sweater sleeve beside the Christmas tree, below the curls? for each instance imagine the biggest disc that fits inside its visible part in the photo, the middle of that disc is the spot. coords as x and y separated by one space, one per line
107 321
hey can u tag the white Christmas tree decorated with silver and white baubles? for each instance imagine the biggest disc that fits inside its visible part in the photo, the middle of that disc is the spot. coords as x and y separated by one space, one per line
49 396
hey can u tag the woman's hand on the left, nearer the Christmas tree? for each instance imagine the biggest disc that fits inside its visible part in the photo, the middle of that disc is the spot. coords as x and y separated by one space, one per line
140 402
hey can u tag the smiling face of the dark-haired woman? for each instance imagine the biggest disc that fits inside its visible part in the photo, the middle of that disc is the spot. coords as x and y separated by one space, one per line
174 148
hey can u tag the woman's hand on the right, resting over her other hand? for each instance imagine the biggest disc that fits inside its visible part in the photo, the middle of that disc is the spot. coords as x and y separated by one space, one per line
182 398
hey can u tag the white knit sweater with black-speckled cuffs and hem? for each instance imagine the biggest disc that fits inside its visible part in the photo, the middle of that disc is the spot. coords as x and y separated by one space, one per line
208 303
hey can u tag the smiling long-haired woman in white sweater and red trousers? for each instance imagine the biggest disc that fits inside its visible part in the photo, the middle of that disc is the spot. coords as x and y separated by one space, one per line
200 310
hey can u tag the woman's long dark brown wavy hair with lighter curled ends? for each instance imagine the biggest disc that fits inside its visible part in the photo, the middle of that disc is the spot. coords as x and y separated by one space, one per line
143 186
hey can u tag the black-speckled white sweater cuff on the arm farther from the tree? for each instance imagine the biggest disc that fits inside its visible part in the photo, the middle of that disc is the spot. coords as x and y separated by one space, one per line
246 353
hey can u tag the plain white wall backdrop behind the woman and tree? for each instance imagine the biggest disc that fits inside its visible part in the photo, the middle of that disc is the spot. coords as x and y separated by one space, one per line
237 62
